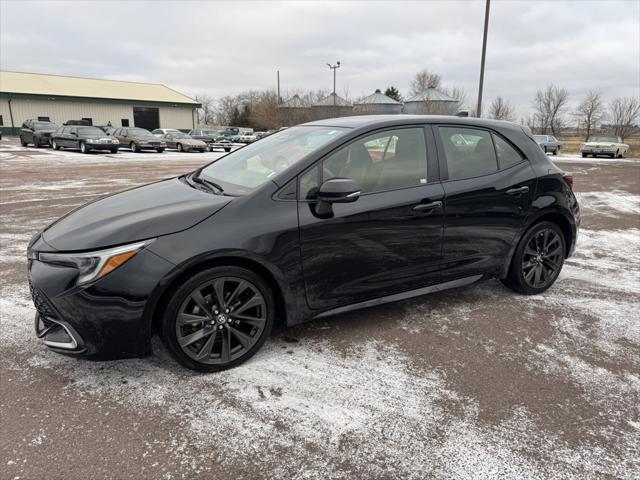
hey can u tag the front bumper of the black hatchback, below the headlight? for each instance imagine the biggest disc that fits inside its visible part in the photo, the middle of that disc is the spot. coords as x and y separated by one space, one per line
105 319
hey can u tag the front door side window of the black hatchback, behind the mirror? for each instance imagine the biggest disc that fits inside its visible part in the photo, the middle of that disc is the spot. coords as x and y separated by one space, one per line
383 161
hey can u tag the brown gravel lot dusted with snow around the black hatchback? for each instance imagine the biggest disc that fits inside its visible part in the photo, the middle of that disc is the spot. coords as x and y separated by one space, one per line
472 383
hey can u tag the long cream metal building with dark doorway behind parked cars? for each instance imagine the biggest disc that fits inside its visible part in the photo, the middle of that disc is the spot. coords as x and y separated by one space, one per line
59 99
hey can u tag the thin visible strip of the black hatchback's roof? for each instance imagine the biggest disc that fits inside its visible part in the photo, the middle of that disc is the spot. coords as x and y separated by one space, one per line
362 121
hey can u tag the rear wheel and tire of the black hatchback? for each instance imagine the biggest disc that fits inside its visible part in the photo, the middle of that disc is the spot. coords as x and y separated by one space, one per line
547 259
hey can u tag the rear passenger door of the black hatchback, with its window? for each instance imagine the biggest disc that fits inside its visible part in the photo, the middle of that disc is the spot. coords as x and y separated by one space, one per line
488 191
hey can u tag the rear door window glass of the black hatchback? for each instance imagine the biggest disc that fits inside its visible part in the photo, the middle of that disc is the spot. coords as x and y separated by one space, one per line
469 152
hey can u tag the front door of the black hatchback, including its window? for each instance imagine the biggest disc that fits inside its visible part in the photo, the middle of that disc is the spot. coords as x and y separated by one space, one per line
390 239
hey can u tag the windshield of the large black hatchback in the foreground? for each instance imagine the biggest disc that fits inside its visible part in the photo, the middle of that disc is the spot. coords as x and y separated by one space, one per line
249 167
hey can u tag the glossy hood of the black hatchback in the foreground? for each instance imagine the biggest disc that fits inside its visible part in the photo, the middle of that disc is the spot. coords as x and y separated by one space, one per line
149 211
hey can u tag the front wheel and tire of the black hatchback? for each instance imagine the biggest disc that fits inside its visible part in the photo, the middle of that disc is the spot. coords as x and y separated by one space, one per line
210 334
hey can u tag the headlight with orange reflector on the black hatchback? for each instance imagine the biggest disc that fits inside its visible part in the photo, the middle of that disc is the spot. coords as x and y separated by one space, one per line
94 265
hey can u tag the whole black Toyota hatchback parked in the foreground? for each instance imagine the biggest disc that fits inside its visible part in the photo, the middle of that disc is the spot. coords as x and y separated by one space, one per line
314 220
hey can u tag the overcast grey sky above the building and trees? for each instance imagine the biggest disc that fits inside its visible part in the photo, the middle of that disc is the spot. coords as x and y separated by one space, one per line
222 48
